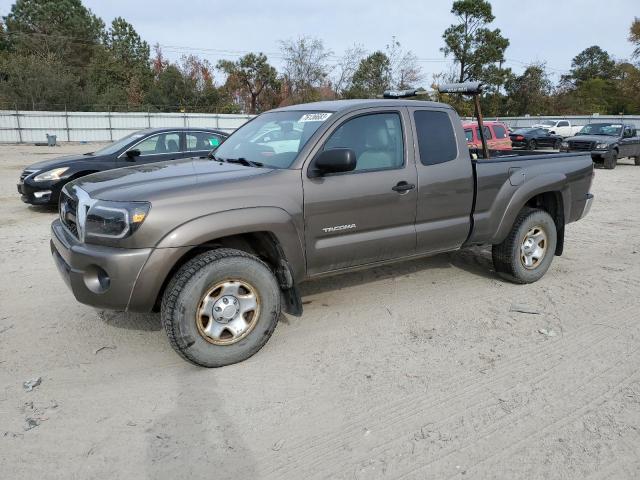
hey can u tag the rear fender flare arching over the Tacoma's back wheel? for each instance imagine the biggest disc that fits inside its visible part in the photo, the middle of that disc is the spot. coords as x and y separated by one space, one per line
548 182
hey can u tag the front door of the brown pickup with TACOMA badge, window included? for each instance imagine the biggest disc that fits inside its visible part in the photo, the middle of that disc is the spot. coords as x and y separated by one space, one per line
366 215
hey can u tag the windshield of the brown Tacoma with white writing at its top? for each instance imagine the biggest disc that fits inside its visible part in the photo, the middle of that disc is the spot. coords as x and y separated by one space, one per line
273 139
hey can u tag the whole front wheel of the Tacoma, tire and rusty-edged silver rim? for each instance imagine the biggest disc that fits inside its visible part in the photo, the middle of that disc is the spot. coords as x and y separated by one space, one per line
221 307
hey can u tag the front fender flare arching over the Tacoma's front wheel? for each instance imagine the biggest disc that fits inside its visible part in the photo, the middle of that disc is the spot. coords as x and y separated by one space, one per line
173 246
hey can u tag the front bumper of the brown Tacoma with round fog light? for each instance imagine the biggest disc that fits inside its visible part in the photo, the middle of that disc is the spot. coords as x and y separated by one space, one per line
103 277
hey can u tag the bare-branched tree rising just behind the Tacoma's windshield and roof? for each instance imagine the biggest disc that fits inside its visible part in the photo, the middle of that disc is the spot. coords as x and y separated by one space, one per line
305 67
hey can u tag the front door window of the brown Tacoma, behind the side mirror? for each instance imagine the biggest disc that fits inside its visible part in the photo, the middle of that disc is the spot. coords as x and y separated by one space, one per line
376 140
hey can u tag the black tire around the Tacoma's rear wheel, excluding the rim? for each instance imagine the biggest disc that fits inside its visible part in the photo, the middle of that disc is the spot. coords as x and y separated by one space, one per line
507 255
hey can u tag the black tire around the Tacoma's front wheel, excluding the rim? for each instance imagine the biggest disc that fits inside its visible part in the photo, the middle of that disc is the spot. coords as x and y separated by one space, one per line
182 299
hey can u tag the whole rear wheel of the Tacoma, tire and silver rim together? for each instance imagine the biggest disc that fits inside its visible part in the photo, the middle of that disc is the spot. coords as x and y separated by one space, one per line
527 252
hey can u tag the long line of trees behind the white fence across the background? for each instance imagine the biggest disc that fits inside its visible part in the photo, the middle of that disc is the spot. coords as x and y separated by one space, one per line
57 54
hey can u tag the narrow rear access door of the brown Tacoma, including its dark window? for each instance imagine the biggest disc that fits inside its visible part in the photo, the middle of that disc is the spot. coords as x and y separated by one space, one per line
445 181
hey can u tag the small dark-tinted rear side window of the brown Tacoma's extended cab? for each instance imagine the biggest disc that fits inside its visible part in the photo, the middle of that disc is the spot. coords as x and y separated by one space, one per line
436 139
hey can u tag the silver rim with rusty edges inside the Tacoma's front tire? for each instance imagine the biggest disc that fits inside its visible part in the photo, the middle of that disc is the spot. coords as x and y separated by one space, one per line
228 312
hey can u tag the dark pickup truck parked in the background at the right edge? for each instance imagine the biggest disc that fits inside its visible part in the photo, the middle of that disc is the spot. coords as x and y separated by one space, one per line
607 142
